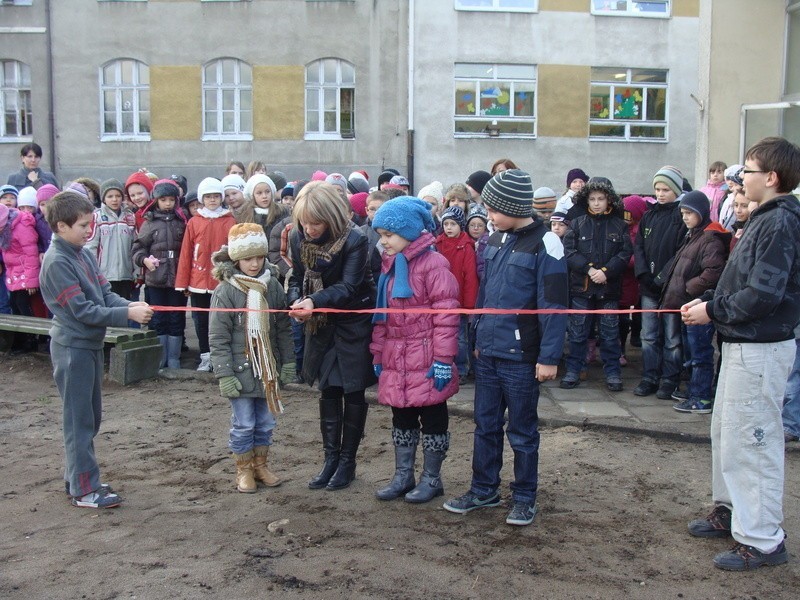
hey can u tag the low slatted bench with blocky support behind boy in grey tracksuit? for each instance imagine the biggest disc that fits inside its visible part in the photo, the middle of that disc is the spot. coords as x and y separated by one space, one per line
135 353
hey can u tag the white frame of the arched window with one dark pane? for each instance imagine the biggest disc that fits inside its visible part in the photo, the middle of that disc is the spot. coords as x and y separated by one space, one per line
319 87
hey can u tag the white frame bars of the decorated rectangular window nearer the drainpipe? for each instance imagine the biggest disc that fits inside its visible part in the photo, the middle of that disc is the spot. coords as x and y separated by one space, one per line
496 119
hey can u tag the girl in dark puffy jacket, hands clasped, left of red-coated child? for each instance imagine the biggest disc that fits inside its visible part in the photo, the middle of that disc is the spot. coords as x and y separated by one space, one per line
156 249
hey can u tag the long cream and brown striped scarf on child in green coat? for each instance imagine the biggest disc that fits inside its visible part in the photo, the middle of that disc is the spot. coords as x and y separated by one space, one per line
259 350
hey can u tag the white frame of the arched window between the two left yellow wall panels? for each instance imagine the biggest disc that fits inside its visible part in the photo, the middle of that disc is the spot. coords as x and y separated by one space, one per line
238 88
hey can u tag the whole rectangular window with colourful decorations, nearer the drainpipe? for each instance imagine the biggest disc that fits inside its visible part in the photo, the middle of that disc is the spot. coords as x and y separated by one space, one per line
495 100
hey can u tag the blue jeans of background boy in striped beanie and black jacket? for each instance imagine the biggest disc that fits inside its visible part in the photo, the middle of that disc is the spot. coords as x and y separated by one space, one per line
661 344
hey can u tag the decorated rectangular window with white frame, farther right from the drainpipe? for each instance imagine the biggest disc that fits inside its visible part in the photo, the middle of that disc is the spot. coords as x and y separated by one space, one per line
628 104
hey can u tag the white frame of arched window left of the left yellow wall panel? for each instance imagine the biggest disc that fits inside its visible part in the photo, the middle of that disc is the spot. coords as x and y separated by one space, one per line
138 88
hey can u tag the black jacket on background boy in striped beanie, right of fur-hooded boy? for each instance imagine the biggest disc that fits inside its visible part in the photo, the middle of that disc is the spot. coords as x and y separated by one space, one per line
661 232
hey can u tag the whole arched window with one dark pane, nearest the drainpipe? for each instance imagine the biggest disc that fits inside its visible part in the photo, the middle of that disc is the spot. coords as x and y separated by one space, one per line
330 99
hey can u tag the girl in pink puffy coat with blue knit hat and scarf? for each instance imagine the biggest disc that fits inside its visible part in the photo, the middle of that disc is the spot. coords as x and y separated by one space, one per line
413 352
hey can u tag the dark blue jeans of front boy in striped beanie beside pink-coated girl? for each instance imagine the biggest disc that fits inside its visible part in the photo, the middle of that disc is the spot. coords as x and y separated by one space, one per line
499 385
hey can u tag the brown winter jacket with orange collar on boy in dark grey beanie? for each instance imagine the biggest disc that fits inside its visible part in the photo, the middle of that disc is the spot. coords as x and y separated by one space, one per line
697 265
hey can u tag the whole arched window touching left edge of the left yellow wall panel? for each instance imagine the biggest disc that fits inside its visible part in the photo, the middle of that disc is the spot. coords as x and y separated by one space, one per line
125 100
